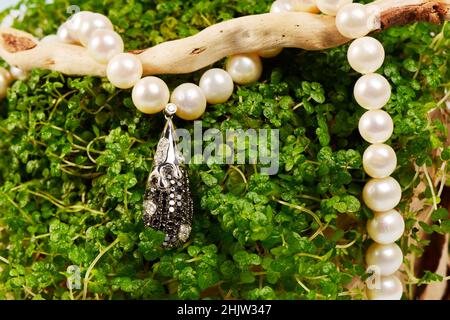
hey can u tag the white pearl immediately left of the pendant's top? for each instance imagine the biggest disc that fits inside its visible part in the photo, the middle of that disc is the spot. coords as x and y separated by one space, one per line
150 95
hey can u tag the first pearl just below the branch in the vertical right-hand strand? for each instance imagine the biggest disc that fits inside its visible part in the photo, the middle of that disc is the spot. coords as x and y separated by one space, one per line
366 55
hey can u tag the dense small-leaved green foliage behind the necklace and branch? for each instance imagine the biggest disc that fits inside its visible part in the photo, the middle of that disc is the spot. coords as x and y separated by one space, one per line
75 155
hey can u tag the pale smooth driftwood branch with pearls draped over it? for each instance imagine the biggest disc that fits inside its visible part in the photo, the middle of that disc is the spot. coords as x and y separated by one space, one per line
245 34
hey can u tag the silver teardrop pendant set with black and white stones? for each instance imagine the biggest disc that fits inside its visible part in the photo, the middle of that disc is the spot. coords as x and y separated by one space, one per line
168 205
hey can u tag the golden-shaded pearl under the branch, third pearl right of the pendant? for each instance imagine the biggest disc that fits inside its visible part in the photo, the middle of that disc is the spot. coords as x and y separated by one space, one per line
244 68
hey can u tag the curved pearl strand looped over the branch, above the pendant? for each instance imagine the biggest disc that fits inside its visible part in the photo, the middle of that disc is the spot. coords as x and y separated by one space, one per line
151 94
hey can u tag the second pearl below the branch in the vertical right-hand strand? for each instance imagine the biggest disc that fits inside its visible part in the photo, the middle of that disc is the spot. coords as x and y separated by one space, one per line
372 91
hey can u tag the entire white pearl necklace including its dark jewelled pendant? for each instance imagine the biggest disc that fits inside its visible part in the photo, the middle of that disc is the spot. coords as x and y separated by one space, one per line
167 202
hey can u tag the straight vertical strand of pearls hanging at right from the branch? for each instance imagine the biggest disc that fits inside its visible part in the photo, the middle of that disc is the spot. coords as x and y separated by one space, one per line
382 193
